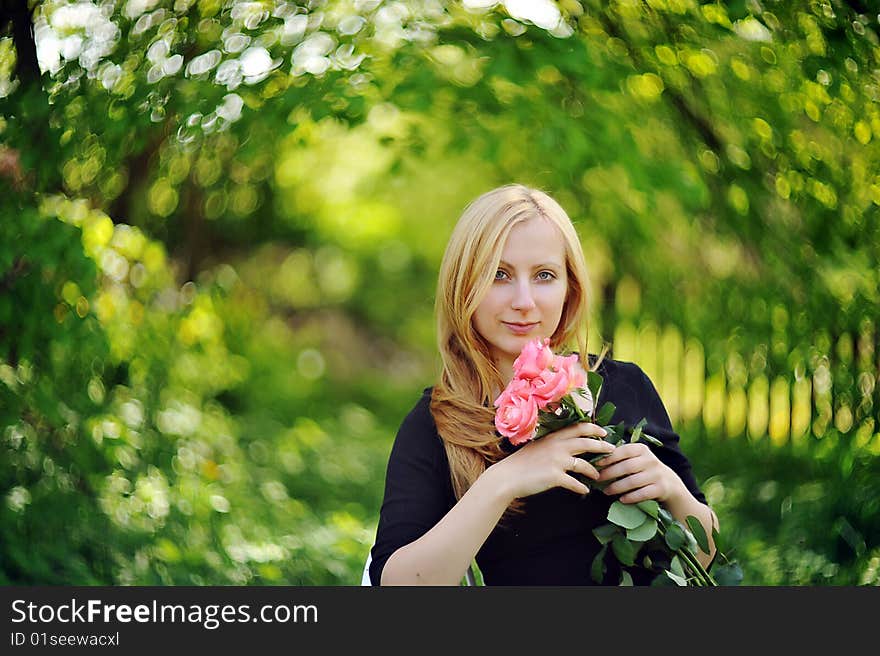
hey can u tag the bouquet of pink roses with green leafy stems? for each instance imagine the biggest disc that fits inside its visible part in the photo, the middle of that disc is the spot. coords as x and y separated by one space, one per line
549 392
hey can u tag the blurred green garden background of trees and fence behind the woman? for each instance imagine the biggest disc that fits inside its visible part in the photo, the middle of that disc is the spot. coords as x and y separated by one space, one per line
221 224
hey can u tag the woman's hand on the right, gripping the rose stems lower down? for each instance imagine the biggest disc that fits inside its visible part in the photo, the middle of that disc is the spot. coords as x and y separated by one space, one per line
637 474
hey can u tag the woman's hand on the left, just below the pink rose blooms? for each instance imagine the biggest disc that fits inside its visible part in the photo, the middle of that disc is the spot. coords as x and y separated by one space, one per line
546 462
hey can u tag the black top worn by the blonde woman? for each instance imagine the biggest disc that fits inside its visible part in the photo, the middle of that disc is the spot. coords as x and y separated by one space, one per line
551 543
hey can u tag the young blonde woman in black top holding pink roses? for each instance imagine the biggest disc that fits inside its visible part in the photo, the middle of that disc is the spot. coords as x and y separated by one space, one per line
514 271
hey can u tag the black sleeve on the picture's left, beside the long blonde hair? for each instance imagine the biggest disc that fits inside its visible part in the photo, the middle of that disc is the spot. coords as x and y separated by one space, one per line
418 489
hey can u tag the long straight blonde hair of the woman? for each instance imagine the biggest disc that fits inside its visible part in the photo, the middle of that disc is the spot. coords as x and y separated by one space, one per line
461 401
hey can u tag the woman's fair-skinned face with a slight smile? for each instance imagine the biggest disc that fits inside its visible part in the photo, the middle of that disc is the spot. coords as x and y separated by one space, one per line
526 298
